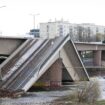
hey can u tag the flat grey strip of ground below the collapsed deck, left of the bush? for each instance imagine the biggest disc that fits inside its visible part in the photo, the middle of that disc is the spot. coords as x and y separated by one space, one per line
36 98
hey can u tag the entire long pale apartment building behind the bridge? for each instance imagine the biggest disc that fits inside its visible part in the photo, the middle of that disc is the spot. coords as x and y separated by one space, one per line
78 32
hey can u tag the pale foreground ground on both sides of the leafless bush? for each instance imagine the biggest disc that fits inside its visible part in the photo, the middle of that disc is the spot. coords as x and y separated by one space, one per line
56 97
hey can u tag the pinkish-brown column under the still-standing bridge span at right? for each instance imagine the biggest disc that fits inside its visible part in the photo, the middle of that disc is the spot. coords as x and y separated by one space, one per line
97 58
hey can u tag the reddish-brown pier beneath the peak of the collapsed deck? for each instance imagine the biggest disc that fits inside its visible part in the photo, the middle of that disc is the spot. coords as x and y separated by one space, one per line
52 77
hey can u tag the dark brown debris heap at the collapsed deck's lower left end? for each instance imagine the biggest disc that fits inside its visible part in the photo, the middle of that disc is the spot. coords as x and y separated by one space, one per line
11 93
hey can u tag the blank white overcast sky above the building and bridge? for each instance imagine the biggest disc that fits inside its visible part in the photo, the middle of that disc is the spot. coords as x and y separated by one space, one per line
15 18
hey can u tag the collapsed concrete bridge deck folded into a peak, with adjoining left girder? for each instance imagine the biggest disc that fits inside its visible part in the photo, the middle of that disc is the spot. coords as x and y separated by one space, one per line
29 58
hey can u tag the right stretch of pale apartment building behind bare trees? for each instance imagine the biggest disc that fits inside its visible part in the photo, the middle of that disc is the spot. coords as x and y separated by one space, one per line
87 32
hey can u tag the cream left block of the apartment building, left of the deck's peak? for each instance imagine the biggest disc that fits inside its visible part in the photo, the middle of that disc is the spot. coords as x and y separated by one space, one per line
54 29
